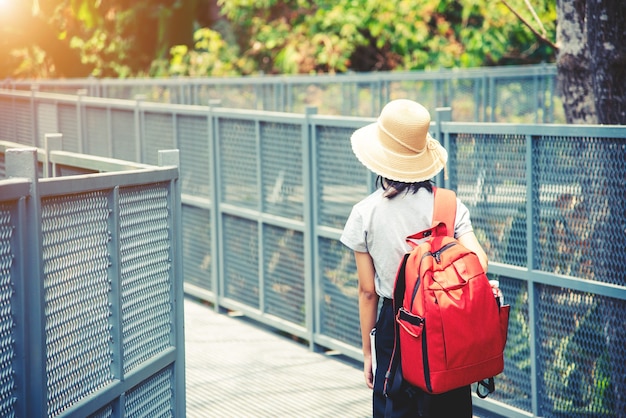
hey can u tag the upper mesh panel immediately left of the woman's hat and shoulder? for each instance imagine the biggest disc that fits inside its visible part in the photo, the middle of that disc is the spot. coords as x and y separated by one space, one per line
341 178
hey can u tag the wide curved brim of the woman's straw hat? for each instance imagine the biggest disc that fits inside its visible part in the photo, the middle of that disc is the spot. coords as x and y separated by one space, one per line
393 166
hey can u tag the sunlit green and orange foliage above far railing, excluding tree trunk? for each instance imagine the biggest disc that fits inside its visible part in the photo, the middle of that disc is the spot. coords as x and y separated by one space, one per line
122 38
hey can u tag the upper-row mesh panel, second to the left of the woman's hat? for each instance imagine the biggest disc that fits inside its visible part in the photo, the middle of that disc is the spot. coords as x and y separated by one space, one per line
281 154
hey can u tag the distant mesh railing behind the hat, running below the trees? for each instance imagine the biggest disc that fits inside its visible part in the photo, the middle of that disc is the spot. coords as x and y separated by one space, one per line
521 94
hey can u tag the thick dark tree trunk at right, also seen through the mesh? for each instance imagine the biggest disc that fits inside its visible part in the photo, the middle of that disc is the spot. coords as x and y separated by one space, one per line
591 65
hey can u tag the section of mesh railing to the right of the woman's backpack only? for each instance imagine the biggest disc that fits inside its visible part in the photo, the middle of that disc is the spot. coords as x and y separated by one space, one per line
554 204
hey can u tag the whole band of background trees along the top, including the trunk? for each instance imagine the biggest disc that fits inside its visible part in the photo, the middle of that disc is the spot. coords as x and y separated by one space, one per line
122 38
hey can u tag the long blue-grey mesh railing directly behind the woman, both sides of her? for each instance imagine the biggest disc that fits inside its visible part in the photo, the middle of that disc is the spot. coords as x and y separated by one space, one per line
266 195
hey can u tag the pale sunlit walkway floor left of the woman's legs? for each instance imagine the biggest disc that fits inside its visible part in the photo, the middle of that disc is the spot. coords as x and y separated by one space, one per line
235 368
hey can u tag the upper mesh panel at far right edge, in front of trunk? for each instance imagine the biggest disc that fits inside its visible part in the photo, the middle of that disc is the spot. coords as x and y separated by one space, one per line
583 207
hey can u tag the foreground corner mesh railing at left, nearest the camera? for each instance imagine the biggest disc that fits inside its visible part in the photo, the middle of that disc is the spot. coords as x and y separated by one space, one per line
90 287
